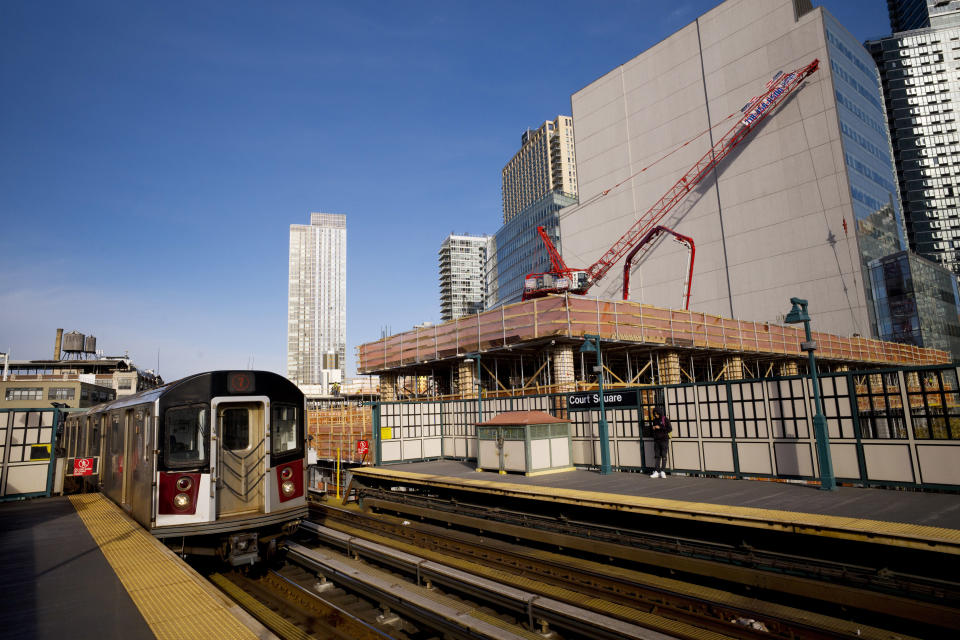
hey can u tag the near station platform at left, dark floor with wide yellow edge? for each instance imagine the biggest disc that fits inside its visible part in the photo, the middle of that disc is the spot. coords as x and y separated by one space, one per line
78 567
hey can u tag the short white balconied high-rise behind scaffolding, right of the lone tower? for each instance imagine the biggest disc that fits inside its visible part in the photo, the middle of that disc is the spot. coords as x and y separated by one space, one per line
462 259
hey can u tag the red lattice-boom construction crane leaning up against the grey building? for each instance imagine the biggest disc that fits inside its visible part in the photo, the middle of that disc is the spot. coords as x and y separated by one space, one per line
562 279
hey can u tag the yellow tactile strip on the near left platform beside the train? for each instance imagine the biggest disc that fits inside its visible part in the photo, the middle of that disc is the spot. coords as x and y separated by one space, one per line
175 602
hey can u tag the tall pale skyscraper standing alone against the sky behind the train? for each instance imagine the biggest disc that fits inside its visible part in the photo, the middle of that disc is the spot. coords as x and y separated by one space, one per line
317 301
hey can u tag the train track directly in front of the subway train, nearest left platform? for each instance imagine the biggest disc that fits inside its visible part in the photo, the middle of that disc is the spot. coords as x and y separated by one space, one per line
320 593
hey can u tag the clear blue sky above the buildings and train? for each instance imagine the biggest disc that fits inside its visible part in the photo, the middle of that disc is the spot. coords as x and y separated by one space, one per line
153 155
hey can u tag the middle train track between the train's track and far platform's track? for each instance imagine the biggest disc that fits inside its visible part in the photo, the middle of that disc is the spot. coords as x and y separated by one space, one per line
610 578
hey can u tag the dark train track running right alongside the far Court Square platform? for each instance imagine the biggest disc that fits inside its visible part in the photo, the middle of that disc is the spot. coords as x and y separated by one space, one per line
874 588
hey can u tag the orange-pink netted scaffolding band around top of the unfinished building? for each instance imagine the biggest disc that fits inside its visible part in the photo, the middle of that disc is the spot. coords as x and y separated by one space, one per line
624 322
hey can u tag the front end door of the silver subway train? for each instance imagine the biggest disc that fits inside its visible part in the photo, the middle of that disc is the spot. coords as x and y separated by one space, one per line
240 458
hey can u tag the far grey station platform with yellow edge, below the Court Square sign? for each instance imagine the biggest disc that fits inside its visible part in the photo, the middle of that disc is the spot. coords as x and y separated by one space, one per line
918 520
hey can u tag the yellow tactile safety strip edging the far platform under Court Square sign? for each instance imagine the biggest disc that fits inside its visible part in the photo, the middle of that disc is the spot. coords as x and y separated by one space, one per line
861 529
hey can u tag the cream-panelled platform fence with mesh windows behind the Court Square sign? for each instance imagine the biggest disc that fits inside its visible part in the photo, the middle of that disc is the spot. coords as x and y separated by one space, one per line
897 427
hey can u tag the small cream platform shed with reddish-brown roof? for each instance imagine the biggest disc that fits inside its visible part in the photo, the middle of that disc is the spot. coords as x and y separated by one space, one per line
530 442
